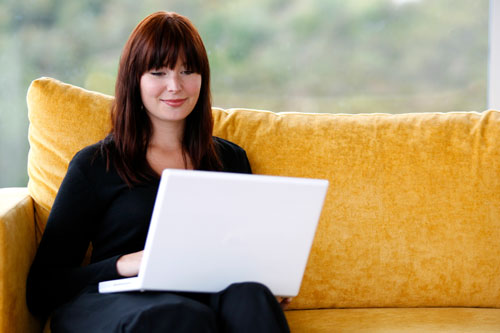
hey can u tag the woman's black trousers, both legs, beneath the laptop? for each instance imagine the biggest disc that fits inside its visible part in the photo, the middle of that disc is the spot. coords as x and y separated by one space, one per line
242 307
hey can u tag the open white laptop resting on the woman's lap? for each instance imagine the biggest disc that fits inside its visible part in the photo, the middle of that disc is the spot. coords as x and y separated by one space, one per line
211 229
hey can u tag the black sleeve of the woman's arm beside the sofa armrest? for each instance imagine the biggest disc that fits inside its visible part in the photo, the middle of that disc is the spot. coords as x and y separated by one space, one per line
56 274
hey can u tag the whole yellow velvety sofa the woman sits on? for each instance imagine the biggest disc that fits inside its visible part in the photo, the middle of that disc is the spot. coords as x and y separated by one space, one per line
409 237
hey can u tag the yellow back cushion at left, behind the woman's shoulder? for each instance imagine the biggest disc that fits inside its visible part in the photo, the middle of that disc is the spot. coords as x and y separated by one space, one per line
63 119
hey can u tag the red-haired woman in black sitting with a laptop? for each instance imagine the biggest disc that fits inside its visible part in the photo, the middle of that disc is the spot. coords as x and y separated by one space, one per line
161 119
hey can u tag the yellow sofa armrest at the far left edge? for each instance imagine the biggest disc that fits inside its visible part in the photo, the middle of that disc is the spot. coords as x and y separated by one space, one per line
17 250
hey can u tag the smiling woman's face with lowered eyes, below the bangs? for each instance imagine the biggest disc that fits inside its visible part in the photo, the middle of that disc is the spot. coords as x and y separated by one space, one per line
169 95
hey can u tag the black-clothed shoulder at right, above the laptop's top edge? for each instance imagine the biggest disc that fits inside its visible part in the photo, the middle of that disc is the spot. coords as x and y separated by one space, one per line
233 157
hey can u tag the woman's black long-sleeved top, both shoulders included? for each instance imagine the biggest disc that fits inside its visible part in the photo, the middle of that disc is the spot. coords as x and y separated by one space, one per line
94 205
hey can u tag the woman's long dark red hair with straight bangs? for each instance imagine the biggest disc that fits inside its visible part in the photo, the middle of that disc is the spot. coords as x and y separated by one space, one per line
158 41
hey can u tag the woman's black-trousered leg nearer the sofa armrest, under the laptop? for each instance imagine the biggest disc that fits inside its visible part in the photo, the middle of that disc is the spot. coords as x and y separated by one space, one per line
133 312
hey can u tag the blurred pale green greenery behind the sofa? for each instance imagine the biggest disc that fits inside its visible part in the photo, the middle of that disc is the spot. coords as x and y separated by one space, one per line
359 56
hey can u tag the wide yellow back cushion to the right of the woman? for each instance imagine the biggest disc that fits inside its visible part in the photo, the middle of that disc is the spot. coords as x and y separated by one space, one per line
412 215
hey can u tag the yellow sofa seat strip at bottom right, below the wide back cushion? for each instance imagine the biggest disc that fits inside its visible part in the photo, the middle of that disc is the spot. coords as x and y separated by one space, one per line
395 320
